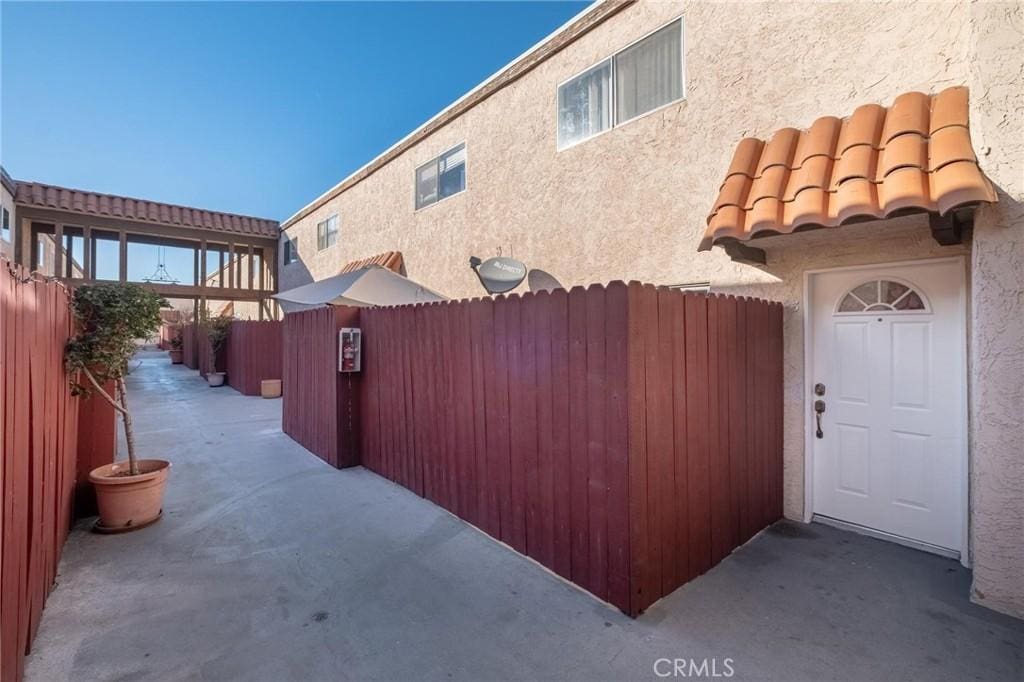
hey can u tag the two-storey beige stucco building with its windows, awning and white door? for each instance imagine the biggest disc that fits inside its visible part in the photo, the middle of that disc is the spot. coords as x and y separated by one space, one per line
605 153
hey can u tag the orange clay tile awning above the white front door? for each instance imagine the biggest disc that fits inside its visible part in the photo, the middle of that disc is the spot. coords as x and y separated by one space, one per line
914 157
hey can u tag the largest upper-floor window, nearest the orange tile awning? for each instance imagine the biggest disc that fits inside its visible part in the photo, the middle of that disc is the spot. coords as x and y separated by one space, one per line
639 79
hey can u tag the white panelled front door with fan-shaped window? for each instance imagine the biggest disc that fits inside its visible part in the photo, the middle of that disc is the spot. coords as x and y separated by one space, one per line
888 349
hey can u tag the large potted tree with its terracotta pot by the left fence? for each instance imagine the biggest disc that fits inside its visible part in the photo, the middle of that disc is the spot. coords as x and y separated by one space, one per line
111 318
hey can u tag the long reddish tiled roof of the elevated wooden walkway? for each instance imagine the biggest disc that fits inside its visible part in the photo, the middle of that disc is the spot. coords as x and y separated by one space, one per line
92 203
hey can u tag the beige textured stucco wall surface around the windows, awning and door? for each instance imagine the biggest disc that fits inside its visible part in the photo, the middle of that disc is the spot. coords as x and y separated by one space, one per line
631 203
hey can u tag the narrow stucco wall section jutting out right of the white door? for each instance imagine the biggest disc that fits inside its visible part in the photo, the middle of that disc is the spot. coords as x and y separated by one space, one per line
997 81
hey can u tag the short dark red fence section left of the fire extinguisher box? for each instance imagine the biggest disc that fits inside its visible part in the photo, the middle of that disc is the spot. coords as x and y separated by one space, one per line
320 404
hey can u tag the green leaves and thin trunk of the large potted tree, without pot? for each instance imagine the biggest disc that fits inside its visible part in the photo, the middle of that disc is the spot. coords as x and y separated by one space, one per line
111 318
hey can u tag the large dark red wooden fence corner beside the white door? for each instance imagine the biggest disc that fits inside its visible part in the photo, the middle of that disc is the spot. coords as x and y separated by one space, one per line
626 438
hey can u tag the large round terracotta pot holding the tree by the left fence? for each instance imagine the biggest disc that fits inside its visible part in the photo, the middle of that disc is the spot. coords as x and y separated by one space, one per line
129 502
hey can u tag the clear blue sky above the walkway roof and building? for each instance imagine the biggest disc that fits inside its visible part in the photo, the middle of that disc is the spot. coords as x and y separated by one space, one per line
246 108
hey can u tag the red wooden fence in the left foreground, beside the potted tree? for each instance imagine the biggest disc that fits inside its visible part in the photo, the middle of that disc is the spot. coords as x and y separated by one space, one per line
37 454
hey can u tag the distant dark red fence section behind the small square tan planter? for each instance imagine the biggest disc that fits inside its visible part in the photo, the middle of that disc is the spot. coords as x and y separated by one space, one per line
252 355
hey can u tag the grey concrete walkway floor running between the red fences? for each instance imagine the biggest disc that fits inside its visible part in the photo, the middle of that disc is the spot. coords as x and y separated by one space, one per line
269 565
